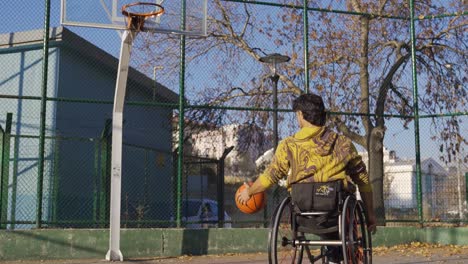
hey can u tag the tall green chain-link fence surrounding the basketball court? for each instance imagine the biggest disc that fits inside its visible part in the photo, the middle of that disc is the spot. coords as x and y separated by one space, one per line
392 76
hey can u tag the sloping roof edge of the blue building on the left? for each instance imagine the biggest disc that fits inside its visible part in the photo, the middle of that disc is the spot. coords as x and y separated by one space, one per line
62 37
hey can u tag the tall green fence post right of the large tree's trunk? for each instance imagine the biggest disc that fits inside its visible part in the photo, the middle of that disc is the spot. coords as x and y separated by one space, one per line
416 114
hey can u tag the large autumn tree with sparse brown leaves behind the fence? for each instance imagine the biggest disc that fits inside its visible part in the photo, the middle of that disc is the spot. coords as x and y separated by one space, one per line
360 62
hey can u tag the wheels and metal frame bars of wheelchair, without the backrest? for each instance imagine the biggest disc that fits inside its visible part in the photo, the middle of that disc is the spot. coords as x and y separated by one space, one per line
287 245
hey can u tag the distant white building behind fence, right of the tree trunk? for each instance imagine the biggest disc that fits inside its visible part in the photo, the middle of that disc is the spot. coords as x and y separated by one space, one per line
439 195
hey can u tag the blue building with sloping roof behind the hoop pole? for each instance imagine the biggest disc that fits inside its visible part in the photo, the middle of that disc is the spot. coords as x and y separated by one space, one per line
80 90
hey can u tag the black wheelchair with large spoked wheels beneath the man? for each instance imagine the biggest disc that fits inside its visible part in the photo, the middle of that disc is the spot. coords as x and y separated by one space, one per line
291 231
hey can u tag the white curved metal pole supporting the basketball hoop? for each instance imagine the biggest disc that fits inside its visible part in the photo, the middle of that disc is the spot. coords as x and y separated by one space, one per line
114 253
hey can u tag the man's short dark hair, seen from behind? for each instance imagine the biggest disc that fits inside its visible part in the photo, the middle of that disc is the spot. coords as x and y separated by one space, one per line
312 108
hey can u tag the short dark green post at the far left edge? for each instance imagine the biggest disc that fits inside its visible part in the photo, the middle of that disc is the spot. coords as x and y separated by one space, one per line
5 170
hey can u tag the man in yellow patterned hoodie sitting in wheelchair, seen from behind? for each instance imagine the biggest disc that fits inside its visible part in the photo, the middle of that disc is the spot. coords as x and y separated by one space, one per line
318 165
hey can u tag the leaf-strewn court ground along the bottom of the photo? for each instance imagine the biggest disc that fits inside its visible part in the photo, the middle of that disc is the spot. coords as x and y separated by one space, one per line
402 254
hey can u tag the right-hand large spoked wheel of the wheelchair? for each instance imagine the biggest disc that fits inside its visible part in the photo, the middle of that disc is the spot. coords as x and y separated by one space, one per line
357 245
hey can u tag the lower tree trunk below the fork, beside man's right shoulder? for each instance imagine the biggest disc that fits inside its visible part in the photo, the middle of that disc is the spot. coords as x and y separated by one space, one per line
376 172
